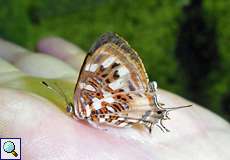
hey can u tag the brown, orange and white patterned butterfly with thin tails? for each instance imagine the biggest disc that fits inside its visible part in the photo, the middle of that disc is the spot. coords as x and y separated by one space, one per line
113 88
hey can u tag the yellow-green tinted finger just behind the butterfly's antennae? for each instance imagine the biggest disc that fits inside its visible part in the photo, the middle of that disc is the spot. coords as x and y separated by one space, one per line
12 77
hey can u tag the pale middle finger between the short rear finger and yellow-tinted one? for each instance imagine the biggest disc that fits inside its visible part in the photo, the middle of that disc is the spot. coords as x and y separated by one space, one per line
38 65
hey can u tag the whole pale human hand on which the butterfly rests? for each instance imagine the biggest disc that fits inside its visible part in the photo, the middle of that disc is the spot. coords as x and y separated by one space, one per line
37 115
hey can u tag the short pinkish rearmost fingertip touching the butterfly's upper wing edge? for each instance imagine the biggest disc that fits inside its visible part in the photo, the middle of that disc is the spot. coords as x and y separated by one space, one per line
63 50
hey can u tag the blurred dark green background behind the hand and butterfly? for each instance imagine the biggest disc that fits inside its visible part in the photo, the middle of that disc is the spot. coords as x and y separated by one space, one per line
184 44
